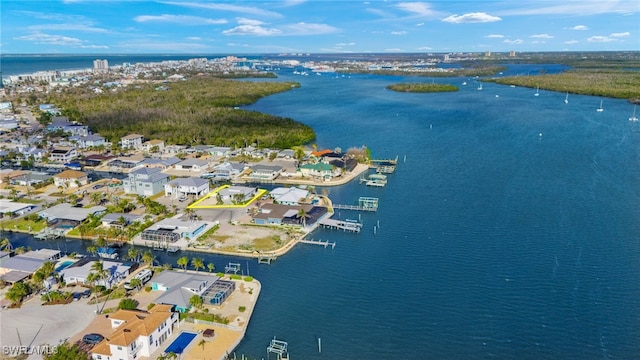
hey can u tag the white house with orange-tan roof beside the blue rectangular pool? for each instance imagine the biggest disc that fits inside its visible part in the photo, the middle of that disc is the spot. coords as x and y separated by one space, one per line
136 333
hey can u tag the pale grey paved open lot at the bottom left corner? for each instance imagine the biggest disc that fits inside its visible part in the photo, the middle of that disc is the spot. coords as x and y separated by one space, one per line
34 324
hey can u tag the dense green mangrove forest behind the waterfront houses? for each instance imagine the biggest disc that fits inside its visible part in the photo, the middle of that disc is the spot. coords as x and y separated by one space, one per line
201 110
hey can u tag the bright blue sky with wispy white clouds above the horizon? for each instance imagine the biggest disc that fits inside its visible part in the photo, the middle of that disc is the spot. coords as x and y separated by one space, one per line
298 26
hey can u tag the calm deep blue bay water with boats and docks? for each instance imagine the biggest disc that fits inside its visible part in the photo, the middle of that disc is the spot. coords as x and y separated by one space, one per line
494 242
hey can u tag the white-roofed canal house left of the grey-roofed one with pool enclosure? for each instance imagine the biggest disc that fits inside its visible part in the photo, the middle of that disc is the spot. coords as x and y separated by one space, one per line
78 272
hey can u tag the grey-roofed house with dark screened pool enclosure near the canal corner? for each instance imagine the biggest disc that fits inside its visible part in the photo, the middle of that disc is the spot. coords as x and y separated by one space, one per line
179 287
